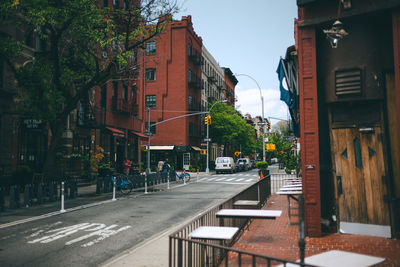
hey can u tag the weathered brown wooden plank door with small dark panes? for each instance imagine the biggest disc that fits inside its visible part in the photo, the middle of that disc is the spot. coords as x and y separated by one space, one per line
360 176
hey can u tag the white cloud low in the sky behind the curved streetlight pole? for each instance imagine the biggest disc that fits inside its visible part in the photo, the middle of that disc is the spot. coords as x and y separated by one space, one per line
249 101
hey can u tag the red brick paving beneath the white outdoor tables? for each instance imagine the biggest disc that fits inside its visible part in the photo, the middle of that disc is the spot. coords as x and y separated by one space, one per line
276 238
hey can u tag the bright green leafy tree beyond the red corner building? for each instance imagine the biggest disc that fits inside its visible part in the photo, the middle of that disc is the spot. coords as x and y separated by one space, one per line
229 127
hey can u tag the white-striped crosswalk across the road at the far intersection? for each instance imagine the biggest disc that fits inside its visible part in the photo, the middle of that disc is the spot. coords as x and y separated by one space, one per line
236 178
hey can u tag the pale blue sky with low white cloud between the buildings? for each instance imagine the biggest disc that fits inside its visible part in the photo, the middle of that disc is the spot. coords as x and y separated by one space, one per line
249 37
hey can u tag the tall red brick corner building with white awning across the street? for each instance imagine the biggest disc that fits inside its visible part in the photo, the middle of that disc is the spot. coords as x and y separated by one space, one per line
171 86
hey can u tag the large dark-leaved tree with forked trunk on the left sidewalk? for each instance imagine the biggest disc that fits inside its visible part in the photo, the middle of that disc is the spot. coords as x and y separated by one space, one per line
68 67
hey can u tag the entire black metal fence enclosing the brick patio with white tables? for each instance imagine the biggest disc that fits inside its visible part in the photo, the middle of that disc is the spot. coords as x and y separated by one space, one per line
184 251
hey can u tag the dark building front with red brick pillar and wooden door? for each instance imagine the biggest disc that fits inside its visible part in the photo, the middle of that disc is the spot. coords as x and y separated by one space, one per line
349 114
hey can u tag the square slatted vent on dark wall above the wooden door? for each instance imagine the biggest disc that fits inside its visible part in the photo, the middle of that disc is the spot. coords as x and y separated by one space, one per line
348 82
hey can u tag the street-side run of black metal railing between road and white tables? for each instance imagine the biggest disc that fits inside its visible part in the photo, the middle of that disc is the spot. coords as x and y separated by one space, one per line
187 252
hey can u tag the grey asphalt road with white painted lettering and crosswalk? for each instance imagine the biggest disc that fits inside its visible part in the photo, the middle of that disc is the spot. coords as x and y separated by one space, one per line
91 236
